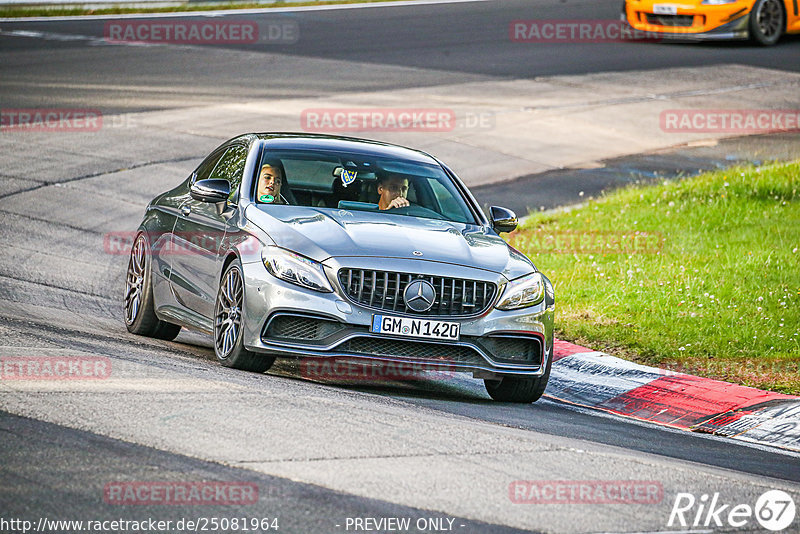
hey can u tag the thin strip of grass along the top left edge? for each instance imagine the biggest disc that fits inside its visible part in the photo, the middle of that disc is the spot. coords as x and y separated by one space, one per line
34 11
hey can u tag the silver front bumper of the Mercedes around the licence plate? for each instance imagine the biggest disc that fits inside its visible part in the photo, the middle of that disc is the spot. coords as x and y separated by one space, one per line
285 320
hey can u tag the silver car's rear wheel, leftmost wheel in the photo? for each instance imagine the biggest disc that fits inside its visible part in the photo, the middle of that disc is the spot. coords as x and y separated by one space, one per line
139 307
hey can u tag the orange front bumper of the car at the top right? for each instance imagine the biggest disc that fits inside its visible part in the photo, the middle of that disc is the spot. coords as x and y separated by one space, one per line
690 22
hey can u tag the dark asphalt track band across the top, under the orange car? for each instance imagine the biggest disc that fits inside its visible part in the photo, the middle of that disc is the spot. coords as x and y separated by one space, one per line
436 44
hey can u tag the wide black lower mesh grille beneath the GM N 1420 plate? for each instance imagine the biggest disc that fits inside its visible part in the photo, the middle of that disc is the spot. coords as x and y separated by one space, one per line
416 350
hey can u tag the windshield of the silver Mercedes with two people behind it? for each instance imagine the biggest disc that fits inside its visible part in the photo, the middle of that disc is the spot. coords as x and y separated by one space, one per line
348 181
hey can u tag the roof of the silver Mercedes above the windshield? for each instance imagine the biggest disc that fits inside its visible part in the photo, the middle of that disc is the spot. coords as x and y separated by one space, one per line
332 143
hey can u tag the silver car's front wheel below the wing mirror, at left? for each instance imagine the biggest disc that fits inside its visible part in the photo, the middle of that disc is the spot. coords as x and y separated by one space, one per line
228 338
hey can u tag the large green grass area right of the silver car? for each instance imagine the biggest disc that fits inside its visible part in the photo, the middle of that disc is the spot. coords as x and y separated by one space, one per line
711 288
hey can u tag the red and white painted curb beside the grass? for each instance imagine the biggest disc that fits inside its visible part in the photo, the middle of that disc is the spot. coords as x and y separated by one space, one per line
597 380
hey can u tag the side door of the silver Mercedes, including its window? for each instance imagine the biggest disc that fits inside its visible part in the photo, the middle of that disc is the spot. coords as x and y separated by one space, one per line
198 234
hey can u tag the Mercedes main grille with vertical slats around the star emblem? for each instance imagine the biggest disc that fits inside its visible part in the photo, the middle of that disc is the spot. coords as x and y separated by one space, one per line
383 290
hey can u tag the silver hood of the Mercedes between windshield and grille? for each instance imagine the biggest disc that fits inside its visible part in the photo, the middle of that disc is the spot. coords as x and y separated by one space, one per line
323 233
